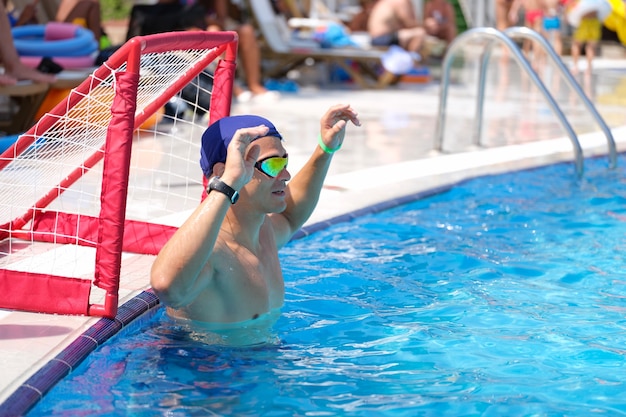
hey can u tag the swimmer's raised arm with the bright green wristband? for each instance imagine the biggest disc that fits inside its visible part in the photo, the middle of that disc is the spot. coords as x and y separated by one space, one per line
305 187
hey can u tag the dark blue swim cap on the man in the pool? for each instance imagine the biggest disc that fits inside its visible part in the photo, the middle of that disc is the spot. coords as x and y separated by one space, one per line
218 135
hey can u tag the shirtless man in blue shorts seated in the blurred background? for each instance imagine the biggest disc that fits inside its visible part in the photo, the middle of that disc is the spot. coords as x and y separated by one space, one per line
393 22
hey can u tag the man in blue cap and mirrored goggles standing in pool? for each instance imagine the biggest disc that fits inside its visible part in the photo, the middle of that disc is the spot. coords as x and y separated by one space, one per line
222 266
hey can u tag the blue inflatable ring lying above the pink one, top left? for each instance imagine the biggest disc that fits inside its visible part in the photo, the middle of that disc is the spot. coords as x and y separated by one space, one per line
48 40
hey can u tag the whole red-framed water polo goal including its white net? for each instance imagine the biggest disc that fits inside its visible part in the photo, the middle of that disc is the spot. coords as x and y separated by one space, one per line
76 200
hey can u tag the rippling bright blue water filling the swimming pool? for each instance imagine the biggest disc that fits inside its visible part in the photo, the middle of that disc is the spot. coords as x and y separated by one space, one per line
503 296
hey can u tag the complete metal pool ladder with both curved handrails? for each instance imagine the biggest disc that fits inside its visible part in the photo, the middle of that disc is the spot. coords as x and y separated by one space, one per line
505 38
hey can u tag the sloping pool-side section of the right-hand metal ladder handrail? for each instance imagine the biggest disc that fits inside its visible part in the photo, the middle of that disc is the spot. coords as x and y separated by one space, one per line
526 33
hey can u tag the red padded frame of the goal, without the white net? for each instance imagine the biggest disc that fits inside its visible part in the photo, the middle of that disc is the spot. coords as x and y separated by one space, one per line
109 232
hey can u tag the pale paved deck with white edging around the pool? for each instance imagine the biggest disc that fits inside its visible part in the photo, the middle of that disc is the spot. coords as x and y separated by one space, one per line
391 156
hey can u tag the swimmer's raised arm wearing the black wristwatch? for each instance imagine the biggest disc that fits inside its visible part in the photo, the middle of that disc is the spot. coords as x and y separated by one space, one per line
183 267
